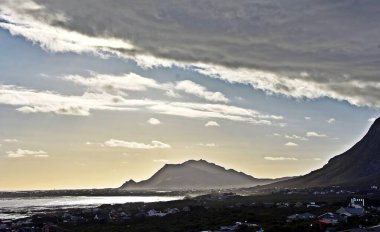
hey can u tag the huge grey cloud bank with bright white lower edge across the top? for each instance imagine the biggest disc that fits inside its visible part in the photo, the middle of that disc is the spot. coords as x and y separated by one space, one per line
311 49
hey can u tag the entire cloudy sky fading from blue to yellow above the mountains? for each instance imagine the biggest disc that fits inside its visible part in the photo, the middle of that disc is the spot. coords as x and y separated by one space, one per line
95 92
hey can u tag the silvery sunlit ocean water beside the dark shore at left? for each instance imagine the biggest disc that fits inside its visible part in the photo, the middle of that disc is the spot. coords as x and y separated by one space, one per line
14 208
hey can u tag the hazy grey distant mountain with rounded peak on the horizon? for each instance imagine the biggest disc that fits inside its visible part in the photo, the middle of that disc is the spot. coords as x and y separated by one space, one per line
194 174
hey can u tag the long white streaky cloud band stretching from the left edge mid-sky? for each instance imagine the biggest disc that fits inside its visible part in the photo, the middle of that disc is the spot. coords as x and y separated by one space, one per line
32 101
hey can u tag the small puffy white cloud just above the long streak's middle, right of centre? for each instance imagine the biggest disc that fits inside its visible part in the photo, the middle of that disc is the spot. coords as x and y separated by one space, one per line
195 89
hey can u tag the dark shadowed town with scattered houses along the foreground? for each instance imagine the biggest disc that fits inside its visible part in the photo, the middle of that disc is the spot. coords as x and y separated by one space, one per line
318 209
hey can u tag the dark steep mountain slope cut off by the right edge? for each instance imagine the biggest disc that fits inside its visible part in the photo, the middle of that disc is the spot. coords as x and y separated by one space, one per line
359 166
